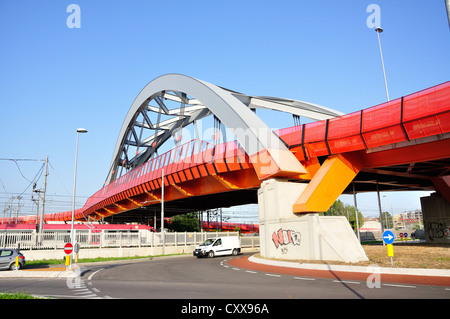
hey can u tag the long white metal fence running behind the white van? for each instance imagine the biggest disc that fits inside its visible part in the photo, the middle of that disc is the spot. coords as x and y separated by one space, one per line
57 240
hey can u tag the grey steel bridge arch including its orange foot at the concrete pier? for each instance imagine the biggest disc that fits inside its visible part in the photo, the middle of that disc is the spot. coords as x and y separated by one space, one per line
267 152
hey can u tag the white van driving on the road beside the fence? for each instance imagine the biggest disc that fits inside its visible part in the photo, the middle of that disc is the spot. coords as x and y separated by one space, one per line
218 247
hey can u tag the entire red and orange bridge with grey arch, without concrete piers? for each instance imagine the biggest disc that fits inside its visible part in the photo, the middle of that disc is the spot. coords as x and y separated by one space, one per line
403 144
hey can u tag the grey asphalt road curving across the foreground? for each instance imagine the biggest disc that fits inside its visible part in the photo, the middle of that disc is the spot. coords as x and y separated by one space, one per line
190 278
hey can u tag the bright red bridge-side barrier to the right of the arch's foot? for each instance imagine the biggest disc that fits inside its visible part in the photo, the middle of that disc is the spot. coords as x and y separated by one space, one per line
414 116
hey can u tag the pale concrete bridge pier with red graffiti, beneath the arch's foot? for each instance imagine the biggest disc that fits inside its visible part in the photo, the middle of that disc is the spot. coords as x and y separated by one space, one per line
285 235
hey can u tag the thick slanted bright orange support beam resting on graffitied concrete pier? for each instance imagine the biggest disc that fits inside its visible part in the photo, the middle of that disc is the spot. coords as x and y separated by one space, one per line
328 183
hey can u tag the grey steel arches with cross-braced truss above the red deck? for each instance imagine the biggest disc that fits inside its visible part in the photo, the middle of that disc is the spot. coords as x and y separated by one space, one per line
171 102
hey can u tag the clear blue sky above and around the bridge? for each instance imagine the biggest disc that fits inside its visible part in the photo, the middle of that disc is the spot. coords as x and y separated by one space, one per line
54 79
